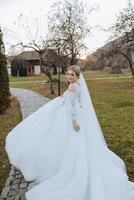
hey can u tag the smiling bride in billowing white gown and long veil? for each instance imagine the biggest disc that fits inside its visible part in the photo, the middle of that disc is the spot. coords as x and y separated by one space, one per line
62 148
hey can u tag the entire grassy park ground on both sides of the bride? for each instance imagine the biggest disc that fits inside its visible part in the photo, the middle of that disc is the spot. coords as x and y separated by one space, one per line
113 100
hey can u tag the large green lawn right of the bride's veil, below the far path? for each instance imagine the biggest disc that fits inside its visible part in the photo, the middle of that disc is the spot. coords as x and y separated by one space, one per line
114 105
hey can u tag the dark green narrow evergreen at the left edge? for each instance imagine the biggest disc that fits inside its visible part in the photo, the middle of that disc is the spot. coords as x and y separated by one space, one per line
4 81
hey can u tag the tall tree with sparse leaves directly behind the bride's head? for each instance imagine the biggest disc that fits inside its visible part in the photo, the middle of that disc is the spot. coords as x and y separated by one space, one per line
68 27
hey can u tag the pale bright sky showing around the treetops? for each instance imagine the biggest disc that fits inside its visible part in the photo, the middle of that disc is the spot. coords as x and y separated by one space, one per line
104 16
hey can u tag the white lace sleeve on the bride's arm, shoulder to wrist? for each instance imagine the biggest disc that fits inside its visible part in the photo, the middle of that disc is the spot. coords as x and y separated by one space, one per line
73 98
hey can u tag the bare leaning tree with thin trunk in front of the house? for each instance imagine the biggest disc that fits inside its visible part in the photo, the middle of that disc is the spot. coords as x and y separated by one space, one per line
35 41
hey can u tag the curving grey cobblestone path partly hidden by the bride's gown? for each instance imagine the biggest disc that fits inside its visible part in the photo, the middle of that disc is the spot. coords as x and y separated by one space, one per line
16 186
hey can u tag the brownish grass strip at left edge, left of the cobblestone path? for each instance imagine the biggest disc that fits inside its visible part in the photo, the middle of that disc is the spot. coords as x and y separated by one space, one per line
7 121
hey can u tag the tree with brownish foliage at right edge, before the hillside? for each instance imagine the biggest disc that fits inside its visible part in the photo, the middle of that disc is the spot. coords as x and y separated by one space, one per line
124 28
